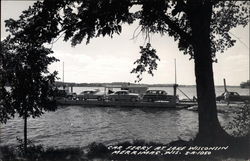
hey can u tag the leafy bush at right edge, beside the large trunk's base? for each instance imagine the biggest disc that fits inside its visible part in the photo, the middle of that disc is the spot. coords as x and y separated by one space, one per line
240 125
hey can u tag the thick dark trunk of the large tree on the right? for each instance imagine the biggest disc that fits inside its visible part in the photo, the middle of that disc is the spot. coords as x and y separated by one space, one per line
210 131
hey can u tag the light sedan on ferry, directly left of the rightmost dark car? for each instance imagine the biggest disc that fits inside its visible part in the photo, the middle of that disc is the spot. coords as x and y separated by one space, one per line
124 95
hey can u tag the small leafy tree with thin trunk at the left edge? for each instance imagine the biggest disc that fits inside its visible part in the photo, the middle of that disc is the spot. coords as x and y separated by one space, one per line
24 69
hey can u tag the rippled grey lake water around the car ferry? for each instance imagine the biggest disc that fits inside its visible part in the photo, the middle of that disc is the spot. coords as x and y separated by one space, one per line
76 126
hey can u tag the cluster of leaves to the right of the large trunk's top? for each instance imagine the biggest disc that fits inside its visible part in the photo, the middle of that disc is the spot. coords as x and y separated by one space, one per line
226 16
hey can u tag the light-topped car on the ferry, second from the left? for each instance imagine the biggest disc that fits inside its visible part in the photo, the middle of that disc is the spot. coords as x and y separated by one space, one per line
91 94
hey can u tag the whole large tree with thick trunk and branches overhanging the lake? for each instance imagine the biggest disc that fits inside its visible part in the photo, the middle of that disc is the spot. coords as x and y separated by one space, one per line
201 28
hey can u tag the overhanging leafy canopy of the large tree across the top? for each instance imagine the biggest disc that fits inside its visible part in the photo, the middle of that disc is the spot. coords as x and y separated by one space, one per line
76 20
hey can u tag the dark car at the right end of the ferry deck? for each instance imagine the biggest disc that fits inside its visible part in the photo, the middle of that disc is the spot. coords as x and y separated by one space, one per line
158 95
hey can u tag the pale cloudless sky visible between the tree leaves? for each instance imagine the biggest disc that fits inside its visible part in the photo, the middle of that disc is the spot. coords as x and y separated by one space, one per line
106 59
